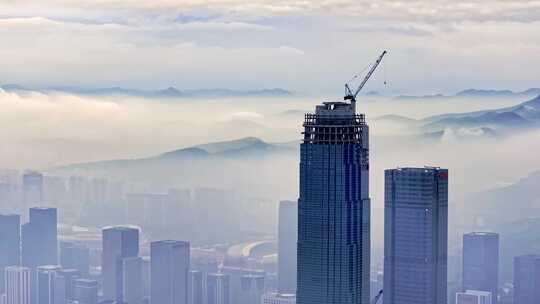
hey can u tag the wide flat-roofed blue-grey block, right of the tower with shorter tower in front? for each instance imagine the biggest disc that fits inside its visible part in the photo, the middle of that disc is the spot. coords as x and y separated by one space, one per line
169 272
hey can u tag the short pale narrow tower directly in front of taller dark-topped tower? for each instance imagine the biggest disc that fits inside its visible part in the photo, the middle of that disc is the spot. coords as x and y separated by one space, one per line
132 280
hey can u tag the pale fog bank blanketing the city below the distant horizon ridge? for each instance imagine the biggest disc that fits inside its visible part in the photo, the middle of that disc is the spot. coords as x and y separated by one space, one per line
65 134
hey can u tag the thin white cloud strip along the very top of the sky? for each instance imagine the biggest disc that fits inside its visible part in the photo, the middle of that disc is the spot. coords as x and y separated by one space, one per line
412 10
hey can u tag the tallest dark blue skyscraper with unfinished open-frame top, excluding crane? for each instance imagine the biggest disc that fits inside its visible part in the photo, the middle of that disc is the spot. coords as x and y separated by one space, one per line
334 208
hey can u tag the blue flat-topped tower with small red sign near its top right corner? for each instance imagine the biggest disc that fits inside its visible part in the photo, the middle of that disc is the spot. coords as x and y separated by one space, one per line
415 235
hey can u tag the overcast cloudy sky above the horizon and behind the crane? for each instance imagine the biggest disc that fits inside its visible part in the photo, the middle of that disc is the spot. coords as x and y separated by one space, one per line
305 46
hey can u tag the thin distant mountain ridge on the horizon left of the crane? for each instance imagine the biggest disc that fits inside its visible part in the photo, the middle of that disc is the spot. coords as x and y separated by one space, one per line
170 92
